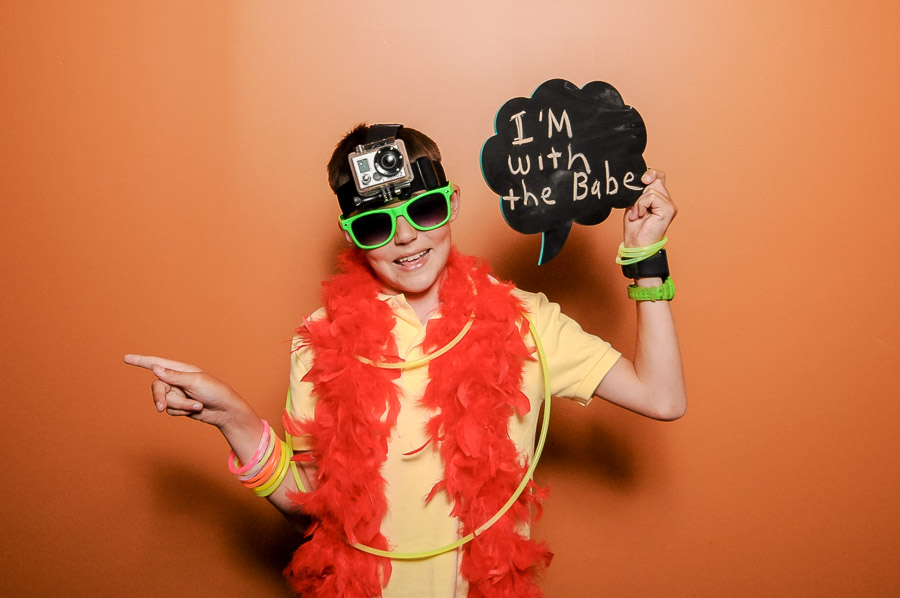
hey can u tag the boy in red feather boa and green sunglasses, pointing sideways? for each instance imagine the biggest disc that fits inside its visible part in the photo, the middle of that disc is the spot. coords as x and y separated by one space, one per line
415 391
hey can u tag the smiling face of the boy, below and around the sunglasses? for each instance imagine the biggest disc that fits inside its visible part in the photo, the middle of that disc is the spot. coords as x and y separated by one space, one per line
413 261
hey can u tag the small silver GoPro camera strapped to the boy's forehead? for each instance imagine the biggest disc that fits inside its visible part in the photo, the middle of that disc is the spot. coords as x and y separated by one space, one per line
381 168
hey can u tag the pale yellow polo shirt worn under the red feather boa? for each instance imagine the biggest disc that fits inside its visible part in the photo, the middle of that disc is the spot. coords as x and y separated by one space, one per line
577 362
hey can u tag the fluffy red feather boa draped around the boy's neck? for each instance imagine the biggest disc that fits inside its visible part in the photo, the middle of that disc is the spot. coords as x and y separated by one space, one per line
474 390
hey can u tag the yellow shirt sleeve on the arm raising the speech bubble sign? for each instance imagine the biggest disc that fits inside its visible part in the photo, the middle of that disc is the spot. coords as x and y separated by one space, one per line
577 360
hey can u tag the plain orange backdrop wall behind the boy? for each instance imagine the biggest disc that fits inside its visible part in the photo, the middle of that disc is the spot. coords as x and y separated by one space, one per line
163 191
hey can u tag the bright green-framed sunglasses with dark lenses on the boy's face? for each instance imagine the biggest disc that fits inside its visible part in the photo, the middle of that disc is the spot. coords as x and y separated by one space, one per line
427 211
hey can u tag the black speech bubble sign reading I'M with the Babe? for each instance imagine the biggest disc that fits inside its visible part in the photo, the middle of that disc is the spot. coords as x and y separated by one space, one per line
564 155
